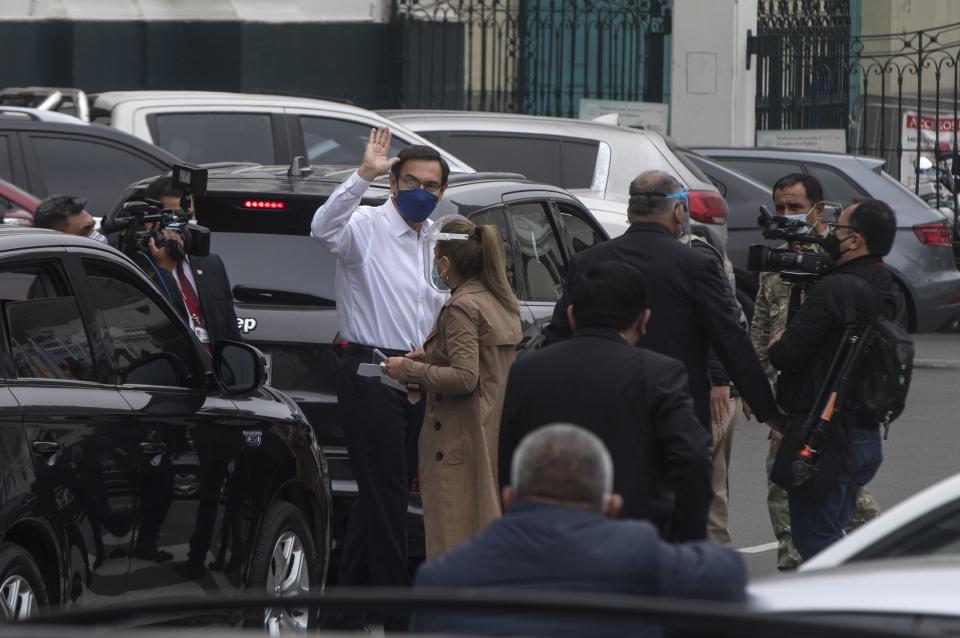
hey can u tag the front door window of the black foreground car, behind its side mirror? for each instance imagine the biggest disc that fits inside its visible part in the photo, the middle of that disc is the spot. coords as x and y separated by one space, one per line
146 346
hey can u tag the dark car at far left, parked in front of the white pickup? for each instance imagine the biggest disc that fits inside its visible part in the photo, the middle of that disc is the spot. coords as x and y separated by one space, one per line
89 160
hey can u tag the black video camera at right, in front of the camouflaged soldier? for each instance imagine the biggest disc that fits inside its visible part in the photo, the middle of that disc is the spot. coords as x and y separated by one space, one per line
786 260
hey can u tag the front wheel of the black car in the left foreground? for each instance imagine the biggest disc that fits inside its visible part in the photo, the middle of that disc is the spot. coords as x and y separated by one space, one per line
284 564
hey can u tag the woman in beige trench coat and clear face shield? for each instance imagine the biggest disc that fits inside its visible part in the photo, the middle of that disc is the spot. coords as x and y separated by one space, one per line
463 368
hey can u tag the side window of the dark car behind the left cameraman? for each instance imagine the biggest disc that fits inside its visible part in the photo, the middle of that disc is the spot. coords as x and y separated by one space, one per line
91 169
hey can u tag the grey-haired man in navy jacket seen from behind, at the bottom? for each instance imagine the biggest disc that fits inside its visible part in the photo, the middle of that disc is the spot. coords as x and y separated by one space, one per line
556 536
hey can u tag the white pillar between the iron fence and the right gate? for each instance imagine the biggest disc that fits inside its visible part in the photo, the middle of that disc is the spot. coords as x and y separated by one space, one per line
713 95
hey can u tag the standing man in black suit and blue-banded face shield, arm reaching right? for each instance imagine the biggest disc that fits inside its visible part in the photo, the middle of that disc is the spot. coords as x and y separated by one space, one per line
689 298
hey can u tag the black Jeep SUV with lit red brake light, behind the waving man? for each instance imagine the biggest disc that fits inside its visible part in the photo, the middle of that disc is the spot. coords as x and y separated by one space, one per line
284 280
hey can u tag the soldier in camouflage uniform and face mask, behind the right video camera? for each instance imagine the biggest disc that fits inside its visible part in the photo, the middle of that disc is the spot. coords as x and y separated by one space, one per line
793 194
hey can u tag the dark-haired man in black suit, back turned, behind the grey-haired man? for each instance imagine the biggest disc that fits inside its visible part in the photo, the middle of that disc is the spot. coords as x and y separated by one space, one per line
635 400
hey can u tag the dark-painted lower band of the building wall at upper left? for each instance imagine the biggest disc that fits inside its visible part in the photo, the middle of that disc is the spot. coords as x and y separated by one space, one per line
311 59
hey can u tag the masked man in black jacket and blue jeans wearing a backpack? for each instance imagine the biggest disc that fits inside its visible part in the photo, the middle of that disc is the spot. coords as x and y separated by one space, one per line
847 297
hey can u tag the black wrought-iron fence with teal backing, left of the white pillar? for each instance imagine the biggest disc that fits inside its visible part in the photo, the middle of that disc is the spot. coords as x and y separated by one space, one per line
530 56
